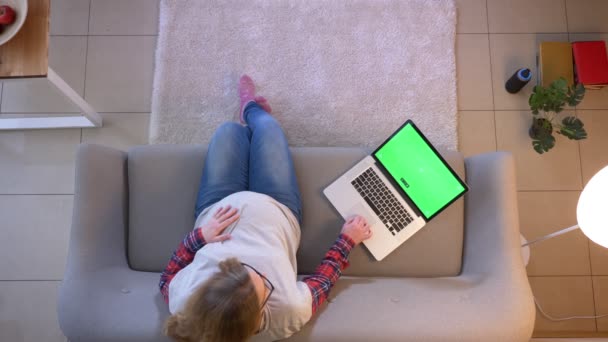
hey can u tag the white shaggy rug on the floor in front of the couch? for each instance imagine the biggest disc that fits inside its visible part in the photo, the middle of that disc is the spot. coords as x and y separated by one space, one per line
336 72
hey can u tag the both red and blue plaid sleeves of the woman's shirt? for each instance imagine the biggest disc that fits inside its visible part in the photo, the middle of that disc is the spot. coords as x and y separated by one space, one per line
319 283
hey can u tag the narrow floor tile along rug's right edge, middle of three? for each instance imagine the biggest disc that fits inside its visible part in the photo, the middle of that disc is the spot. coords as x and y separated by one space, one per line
474 81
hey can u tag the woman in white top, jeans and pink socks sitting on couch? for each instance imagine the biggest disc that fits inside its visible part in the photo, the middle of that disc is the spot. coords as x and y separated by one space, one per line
234 276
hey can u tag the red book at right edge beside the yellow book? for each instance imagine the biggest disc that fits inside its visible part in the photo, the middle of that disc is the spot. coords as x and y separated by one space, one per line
591 62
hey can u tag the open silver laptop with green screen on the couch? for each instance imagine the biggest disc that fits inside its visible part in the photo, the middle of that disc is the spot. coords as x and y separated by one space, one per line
400 187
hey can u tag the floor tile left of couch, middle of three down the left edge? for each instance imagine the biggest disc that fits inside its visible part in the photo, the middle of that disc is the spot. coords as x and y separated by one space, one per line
39 225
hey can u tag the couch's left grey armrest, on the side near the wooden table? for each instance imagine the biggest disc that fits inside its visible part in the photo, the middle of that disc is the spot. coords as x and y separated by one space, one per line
99 222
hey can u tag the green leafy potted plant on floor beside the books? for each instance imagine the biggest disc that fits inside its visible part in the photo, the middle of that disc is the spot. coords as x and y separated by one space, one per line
545 104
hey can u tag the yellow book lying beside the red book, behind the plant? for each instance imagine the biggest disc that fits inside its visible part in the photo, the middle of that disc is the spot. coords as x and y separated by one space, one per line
555 61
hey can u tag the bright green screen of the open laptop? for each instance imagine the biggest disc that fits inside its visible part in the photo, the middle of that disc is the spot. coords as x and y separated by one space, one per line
419 171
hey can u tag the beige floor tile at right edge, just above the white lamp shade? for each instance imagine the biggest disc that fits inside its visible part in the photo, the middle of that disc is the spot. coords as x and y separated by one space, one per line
593 149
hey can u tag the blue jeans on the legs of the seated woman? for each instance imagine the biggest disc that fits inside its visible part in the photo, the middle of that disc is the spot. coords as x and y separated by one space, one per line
254 158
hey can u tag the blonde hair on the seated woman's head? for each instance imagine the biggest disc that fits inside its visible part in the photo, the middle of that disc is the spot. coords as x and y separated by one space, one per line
225 308
